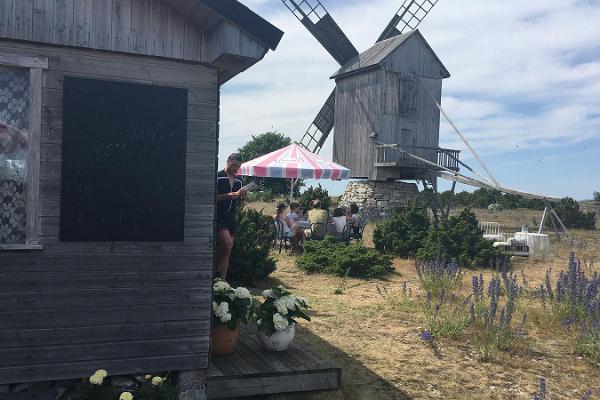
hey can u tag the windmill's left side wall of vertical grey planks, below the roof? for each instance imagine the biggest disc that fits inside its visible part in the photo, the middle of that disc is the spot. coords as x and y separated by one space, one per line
358 110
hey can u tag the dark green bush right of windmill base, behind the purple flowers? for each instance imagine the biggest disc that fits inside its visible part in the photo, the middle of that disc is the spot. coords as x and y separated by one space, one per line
459 238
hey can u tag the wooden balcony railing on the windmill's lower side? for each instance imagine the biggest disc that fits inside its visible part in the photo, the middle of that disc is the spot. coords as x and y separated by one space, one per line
446 158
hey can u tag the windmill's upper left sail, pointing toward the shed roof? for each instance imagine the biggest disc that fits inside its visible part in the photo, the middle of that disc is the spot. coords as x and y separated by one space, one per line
317 20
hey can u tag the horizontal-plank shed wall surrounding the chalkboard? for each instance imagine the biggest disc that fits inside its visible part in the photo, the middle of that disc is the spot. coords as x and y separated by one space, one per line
74 307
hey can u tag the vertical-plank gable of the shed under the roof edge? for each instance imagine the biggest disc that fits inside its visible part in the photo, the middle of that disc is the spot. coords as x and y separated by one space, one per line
165 28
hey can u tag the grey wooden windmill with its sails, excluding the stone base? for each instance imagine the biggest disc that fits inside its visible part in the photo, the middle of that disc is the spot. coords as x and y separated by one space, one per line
384 100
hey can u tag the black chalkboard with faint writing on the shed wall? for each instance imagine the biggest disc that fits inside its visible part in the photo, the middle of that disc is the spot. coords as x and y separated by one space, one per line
123 171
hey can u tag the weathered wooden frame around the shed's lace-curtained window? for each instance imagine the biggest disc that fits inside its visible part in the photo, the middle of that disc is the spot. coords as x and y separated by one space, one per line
36 65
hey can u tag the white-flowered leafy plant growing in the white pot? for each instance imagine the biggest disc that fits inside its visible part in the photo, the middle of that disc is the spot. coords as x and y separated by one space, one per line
279 310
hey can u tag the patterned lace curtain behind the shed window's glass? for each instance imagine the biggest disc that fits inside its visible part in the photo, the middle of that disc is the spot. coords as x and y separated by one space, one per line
14 126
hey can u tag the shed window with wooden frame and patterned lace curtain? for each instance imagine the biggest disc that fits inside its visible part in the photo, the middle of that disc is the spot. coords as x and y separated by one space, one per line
20 132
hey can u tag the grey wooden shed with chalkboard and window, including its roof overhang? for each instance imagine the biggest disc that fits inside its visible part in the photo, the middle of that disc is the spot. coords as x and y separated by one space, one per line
109 115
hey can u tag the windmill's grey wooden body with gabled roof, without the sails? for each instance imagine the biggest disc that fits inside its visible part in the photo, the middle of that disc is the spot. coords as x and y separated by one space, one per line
385 95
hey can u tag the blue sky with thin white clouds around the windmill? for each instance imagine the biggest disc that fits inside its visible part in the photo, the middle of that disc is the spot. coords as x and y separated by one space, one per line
525 84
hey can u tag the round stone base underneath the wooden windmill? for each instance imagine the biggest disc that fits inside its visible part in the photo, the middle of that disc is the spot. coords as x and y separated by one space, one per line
383 196
